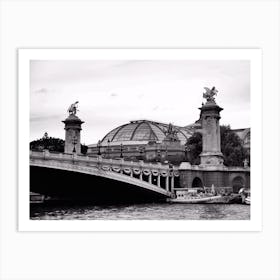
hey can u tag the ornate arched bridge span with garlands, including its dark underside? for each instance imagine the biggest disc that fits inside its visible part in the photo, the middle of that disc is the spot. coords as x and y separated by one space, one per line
109 174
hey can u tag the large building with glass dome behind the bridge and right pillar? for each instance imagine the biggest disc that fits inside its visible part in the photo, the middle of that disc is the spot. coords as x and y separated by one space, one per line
151 141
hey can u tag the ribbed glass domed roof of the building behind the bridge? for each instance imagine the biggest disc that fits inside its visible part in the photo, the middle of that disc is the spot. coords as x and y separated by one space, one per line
143 130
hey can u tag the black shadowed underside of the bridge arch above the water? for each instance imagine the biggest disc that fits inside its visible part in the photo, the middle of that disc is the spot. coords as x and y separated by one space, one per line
96 186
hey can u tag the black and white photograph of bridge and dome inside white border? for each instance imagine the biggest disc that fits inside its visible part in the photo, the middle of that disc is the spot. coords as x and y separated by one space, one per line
140 139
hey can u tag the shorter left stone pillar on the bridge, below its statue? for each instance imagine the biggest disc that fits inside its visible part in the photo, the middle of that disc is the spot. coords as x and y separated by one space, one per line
73 127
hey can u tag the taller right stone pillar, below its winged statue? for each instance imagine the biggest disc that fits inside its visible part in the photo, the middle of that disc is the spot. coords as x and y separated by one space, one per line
211 137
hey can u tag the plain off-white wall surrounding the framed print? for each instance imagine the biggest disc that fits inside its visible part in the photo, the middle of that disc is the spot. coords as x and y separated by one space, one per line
139 255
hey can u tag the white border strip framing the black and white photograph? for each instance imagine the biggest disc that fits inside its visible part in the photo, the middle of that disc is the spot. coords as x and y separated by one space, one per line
24 57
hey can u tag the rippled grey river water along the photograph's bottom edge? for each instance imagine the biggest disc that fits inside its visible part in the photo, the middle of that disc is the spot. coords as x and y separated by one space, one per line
148 211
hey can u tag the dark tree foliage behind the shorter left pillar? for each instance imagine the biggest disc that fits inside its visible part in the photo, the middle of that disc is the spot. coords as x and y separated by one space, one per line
52 144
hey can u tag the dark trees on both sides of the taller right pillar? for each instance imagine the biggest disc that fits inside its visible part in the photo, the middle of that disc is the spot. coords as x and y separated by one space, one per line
231 147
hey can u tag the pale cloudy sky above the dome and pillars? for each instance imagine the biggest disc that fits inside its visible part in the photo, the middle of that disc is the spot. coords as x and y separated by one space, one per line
115 92
